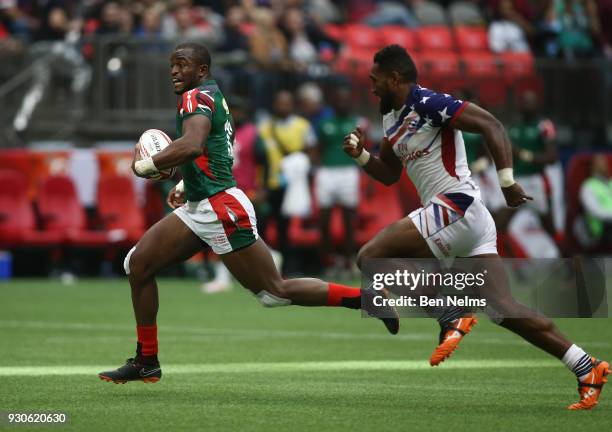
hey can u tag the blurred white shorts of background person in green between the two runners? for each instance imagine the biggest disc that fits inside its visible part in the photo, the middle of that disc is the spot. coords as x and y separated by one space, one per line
337 185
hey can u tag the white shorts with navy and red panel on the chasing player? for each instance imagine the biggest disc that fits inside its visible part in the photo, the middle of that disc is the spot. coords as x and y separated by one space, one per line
456 225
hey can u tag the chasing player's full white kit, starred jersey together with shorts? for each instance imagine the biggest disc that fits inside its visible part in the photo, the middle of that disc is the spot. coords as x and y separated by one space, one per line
453 220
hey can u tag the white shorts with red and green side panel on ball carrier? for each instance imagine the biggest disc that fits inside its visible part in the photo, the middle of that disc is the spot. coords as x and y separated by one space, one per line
225 221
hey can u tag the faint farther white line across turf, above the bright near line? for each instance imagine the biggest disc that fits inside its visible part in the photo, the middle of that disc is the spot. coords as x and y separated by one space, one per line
487 338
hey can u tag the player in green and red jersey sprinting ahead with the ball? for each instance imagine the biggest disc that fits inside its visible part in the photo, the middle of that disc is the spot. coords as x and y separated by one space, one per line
209 211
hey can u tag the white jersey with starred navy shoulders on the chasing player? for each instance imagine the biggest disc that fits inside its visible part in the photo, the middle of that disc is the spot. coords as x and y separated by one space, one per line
431 150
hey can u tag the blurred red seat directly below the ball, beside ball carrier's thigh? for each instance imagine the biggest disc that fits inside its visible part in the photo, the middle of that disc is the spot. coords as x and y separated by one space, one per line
118 209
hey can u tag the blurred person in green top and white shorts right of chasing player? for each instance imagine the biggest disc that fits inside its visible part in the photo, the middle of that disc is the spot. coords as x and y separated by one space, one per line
534 148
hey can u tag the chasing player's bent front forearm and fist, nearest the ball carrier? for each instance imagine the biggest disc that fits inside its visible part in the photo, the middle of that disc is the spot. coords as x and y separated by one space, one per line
385 168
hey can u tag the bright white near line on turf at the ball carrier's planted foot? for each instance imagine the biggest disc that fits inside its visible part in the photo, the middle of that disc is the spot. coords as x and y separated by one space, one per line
263 367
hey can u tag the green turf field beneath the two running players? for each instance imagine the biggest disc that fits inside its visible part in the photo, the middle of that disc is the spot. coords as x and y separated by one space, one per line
230 364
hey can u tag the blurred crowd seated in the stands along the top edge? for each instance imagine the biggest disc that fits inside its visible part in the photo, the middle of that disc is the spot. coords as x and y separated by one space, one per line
289 34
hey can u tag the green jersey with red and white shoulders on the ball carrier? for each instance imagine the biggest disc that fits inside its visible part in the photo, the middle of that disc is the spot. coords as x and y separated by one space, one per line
211 172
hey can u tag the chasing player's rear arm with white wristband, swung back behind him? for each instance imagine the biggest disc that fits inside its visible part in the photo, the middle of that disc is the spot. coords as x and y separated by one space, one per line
477 120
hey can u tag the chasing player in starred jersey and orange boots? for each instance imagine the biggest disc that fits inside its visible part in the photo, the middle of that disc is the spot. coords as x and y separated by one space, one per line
422 134
